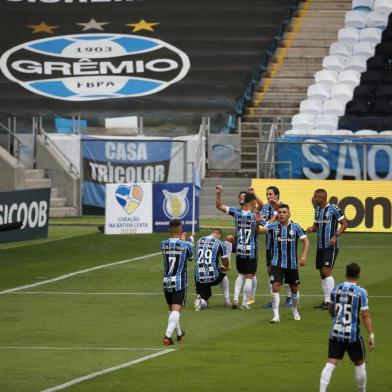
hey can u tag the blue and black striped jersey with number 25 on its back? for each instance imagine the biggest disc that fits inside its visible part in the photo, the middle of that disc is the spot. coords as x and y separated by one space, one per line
347 299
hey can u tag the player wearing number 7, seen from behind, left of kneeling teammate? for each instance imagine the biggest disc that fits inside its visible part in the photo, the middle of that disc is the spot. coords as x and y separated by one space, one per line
176 252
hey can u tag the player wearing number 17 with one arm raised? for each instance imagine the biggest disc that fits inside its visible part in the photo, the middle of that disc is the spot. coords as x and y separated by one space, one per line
246 228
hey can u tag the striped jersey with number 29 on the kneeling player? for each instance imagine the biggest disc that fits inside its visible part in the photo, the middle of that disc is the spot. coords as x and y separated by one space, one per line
208 251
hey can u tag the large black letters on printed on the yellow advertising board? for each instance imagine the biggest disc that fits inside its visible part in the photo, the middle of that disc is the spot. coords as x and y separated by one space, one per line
365 212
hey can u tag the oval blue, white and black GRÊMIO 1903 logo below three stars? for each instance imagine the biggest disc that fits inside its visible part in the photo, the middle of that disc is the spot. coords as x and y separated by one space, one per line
89 67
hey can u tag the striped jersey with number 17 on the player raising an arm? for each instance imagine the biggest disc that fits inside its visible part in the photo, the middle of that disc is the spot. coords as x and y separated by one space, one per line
245 225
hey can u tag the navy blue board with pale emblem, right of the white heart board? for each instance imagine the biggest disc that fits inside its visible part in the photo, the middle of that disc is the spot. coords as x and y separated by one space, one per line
175 201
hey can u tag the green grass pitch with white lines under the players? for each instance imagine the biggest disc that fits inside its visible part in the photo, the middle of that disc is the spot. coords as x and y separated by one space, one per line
53 333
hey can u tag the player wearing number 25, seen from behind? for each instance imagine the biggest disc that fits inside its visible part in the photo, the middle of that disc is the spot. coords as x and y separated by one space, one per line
348 302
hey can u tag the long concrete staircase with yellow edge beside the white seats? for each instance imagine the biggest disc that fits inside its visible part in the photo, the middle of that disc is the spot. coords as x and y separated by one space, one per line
291 71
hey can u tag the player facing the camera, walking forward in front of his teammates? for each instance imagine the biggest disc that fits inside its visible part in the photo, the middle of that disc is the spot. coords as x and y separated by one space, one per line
284 260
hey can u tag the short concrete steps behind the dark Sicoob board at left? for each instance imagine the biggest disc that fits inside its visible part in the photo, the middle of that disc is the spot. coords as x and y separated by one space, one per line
35 178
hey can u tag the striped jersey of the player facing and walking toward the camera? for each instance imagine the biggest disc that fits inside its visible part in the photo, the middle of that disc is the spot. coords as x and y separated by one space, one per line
285 241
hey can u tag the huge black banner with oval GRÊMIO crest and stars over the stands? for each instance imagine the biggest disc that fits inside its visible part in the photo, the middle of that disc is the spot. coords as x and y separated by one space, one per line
132 56
